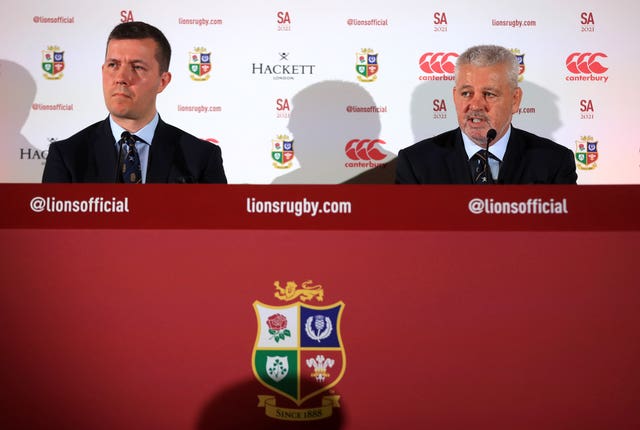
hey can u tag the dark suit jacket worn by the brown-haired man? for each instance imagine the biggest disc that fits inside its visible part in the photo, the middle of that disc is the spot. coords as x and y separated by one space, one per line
174 157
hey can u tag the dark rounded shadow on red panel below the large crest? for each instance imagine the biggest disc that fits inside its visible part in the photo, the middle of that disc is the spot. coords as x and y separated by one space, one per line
236 407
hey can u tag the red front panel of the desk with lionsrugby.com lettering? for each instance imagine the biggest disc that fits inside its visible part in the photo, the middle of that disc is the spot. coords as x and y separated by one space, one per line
147 319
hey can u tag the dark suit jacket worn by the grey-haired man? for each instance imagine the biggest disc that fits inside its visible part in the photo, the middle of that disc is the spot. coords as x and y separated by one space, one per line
529 159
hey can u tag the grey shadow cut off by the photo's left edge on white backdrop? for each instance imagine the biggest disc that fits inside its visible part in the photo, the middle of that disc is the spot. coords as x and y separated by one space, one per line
17 161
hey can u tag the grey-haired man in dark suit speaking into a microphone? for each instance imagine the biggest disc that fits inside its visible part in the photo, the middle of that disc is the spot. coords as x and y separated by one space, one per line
486 95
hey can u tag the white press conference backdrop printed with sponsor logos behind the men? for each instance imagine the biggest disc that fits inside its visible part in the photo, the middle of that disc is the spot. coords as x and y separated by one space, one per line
300 92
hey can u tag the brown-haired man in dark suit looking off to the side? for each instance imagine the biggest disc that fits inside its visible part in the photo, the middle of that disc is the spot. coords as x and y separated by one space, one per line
133 144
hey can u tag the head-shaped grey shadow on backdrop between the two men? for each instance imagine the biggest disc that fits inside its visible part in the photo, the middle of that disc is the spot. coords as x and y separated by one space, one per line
322 127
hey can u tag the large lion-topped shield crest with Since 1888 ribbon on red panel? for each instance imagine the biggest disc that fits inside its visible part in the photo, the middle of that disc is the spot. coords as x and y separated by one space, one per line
298 354
